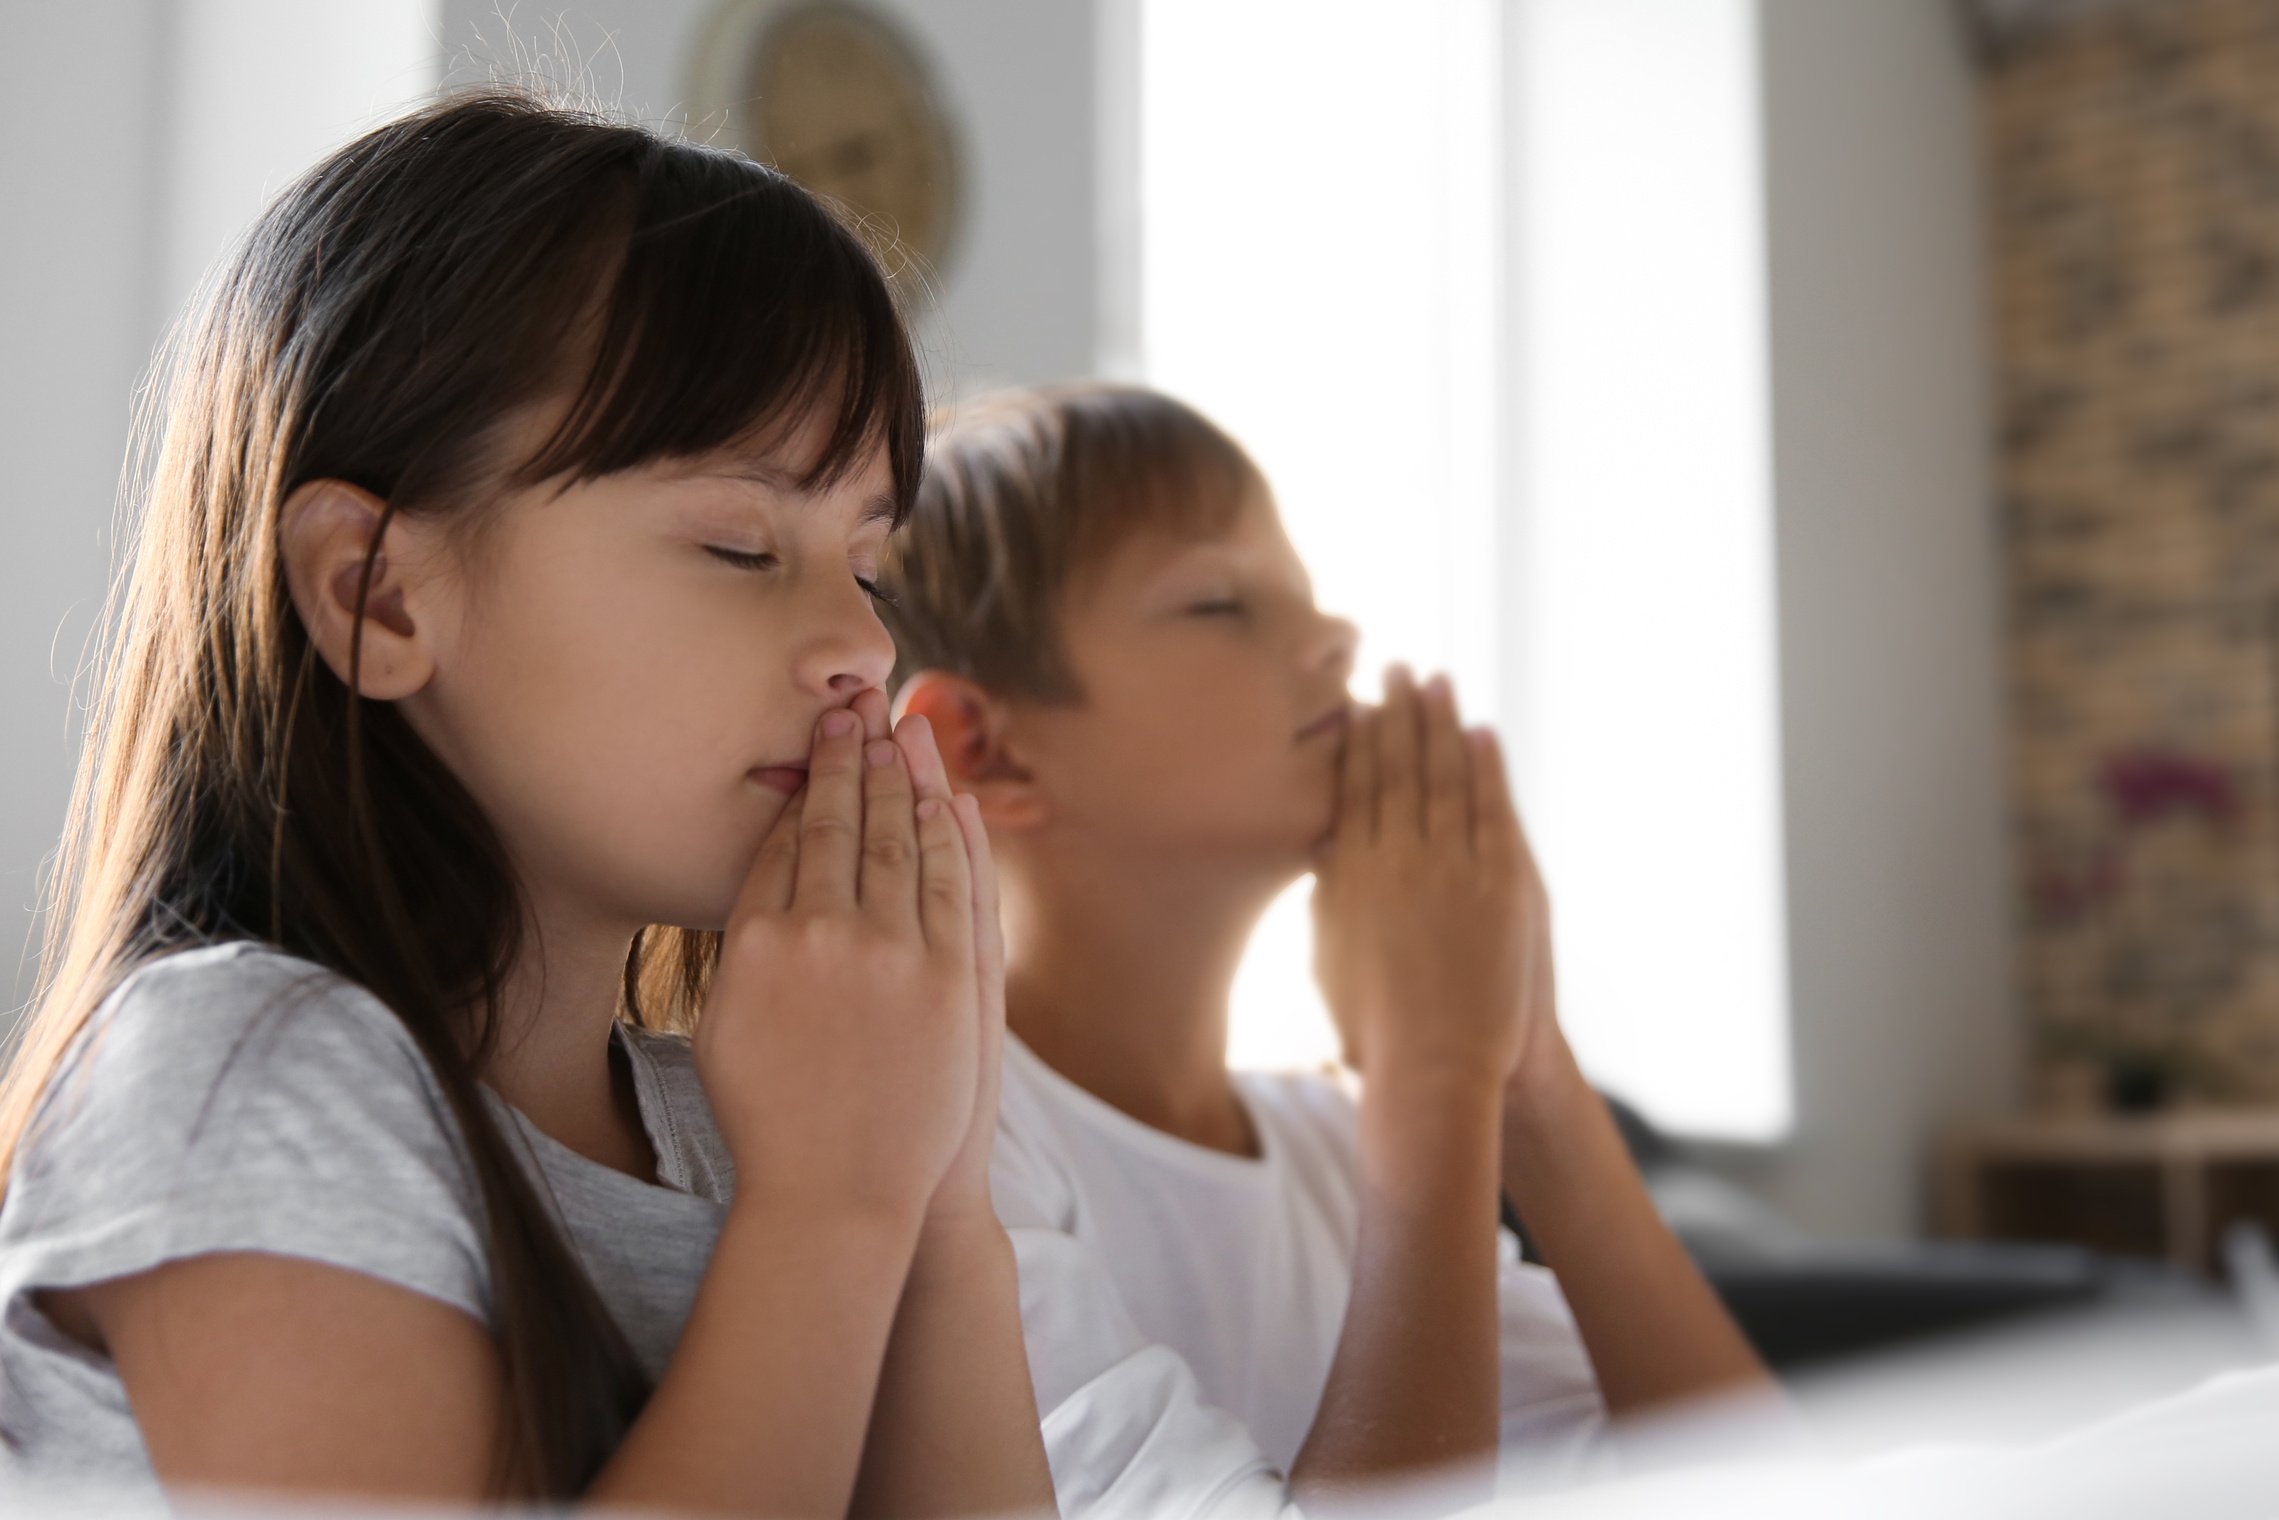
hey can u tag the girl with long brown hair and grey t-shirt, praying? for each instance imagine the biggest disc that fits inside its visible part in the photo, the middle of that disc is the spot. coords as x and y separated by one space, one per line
498 637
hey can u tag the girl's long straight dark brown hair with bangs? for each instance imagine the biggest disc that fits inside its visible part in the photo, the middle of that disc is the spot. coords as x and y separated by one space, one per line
382 325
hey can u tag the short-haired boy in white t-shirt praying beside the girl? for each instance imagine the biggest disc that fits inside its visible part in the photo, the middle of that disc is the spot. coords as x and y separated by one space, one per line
1245 1289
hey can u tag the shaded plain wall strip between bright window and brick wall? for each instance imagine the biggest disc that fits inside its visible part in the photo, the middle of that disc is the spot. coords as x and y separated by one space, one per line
1890 603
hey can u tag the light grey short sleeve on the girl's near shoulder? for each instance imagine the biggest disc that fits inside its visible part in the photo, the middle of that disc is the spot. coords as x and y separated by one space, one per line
236 1100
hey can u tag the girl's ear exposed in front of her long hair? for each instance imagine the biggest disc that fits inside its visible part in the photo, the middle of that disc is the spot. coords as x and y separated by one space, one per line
325 534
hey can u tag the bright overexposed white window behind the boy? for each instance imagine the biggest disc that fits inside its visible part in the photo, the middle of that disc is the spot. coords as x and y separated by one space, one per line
1482 288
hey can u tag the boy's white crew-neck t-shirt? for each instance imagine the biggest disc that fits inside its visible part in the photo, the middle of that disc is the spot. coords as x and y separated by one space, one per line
1184 1305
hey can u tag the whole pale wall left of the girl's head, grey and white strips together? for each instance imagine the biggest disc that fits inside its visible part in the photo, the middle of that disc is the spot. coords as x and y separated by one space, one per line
147 133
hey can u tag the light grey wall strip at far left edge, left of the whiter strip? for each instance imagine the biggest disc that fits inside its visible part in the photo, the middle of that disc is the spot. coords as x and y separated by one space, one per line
79 316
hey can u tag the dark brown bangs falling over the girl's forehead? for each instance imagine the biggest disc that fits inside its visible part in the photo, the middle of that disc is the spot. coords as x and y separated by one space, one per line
737 316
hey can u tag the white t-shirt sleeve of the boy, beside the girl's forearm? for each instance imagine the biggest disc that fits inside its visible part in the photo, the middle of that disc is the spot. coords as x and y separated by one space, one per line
1127 1428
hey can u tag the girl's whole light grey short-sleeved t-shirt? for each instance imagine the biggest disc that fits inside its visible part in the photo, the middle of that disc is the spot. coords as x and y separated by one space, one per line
238 1100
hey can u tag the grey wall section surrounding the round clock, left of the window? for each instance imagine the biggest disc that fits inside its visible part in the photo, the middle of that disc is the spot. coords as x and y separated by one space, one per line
1020 293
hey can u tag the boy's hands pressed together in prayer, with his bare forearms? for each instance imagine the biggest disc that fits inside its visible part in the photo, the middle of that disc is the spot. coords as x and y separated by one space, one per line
1432 947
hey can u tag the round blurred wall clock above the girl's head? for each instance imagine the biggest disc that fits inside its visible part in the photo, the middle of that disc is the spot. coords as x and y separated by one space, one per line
840 99
